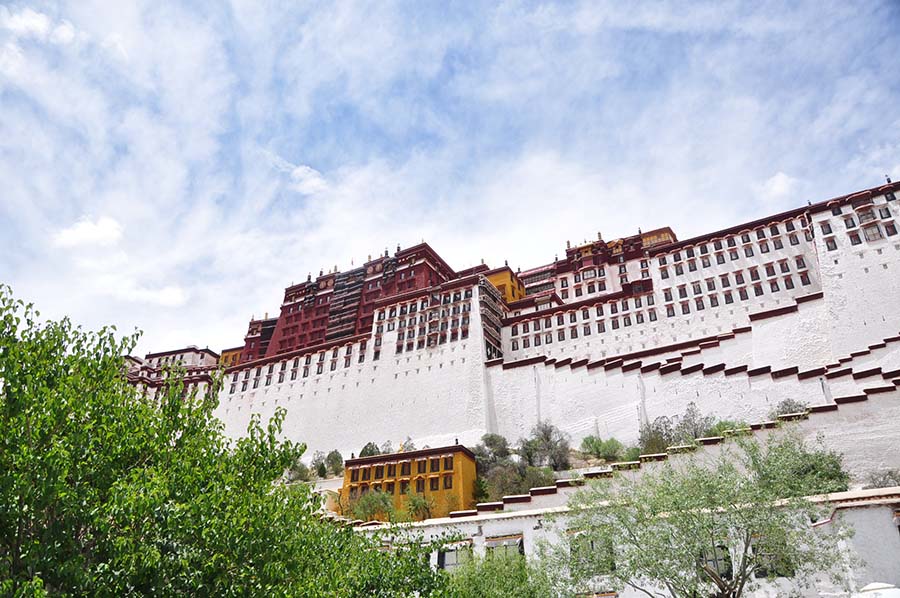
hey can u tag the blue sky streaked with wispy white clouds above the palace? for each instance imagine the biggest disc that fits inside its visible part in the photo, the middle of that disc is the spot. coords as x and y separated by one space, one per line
173 167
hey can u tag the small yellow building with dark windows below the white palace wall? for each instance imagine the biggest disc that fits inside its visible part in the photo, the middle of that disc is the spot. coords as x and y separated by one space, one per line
445 476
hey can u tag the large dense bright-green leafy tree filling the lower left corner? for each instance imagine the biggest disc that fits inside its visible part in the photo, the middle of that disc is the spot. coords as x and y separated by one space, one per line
105 491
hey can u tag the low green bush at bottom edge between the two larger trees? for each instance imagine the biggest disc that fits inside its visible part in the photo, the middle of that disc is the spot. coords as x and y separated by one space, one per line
499 576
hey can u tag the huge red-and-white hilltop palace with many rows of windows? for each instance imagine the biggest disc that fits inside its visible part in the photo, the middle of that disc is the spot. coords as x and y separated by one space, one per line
801 304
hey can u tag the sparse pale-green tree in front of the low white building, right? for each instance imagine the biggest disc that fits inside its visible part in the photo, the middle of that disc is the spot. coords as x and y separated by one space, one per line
709 528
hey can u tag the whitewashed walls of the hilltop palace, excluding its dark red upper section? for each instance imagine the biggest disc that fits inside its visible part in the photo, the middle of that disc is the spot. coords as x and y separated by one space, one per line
812 341
